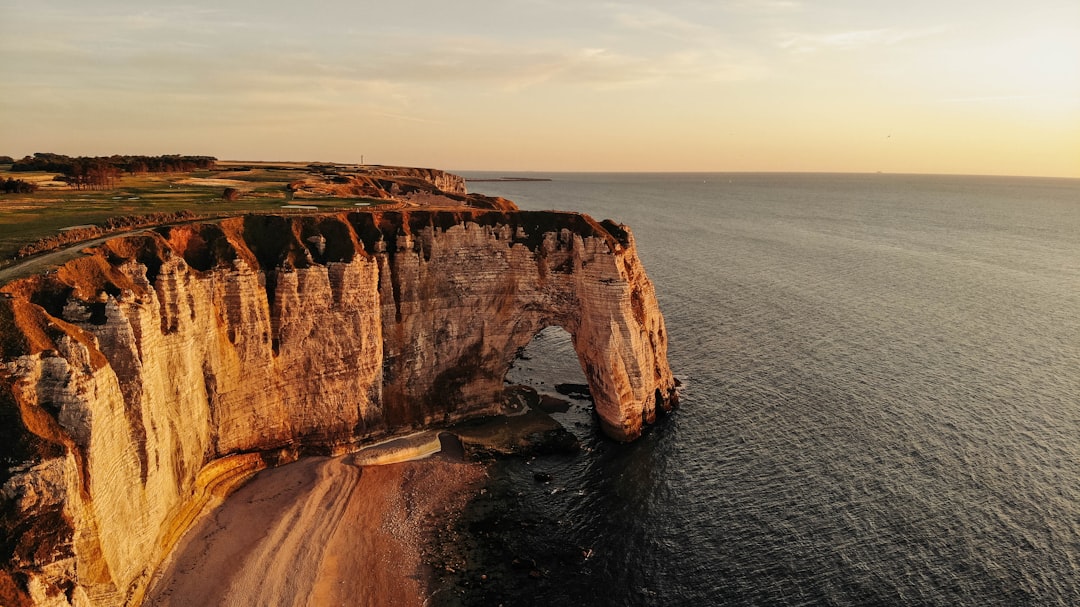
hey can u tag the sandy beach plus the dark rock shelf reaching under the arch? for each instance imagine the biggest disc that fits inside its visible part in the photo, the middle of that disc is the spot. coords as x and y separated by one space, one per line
377 527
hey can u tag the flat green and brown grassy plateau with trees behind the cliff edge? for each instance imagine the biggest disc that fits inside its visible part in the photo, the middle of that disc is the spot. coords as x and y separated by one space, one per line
62 209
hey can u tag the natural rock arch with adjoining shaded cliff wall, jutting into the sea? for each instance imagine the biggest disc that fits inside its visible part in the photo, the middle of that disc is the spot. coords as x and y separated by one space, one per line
467 326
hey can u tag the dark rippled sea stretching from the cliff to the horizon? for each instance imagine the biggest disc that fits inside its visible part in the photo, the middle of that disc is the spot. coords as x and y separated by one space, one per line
881 402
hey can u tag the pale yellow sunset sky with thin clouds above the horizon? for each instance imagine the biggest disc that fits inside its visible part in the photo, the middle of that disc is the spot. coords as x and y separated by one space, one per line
956 87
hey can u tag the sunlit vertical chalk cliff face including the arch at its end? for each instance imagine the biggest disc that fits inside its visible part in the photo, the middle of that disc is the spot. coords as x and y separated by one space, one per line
145 376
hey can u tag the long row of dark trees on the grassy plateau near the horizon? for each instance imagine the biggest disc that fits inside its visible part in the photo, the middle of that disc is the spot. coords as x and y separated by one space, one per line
102 172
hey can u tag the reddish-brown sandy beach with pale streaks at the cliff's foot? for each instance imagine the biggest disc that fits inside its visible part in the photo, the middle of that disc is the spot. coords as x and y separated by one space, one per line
320 532
